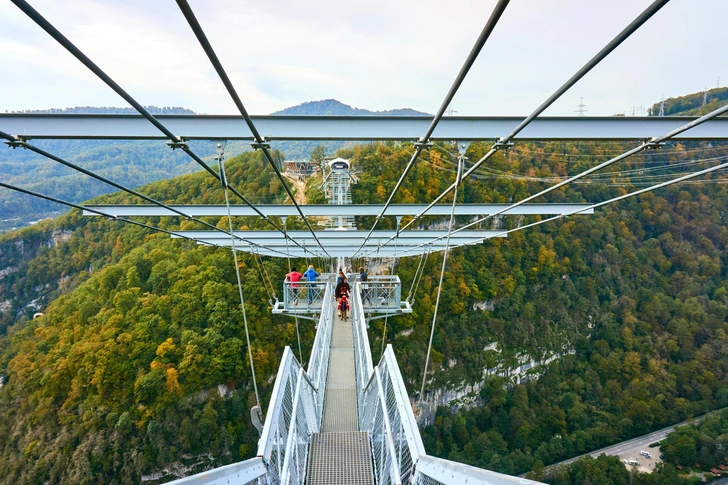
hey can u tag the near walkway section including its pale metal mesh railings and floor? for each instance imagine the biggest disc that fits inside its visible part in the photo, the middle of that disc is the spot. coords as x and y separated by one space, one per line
343 420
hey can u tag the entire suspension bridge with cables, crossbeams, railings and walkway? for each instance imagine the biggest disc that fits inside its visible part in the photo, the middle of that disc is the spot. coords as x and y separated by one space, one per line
342 418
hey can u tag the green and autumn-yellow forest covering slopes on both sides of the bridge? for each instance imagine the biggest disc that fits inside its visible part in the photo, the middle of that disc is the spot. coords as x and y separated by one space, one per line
139 361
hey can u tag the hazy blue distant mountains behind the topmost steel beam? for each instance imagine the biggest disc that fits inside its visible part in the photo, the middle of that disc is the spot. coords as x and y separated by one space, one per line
130 163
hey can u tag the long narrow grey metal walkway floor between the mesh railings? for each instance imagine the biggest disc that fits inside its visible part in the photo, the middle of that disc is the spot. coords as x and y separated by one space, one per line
340 454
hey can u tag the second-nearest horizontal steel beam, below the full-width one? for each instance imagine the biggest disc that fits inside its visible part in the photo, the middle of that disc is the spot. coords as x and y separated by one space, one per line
334 210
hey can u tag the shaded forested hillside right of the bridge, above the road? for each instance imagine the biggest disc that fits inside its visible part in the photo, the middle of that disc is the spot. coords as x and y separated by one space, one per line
633 297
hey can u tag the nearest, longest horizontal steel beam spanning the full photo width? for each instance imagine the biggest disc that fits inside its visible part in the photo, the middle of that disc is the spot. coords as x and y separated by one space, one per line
362 128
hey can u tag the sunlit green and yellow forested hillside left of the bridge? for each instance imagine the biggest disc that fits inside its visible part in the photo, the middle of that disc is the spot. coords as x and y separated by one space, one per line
139 362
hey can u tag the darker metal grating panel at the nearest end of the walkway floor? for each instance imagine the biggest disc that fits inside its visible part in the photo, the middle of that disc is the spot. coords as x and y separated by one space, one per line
340 459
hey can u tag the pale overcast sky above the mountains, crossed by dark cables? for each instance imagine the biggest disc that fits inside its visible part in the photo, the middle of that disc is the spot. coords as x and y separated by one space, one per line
374 54
